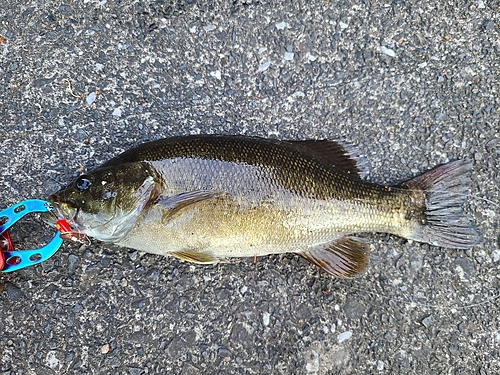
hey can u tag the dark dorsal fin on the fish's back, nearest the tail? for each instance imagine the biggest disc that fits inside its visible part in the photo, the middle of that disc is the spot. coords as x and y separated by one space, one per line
341 157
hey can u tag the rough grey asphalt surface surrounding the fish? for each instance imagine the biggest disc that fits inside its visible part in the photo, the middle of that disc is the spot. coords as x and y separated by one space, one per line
412 84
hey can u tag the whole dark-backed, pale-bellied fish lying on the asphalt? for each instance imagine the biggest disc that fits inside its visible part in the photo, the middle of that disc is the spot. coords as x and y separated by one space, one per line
208 198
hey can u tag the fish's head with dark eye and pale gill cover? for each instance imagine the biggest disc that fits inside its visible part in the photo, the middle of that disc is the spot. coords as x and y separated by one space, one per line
106 202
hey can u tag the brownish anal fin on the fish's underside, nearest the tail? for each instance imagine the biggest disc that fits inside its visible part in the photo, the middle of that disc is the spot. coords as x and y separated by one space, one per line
346 257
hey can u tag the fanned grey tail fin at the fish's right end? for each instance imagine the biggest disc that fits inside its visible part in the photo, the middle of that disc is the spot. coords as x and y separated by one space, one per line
445 223
